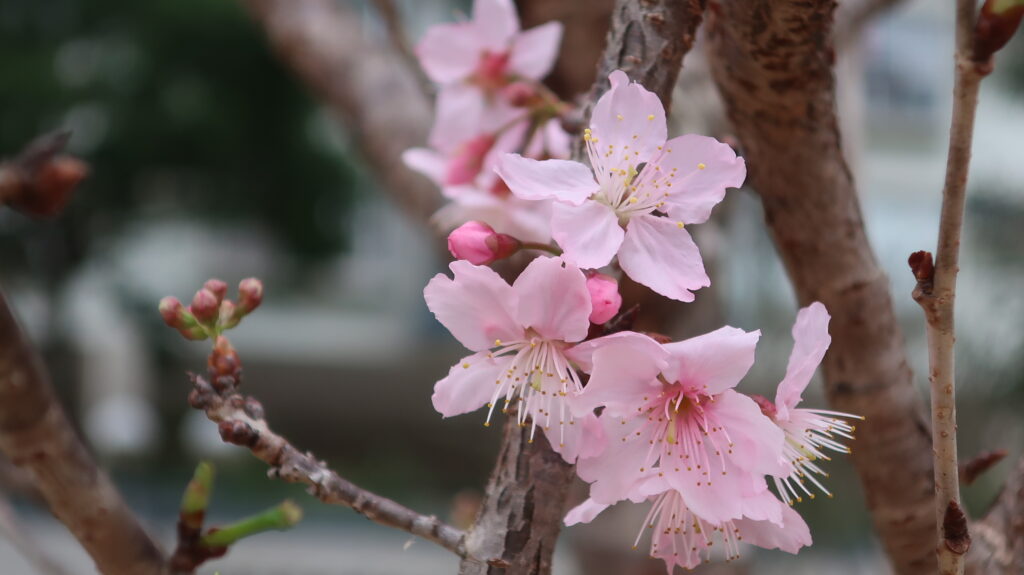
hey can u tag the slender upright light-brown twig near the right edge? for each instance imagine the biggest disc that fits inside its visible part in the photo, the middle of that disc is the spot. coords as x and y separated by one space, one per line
936 293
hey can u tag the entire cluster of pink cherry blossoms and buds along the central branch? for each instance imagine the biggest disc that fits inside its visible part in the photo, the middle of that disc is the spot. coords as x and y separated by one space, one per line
646 421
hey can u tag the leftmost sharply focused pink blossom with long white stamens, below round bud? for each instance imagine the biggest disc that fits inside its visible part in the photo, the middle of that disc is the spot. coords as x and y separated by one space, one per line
523 337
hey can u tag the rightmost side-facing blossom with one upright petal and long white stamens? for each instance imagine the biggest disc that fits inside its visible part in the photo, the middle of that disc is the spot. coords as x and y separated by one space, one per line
809 433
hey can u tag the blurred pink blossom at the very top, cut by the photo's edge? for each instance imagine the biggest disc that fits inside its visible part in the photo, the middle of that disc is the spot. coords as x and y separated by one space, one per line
490 51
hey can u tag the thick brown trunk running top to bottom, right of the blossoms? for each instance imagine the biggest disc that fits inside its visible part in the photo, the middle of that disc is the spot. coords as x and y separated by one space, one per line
774 64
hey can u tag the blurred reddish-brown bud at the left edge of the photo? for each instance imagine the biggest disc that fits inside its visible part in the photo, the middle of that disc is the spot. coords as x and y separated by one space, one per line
40 180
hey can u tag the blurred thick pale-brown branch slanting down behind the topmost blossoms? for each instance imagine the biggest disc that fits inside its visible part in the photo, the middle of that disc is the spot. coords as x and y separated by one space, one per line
365 84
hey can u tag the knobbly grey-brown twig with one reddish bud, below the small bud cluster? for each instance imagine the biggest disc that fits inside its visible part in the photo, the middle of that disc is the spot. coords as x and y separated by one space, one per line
241 422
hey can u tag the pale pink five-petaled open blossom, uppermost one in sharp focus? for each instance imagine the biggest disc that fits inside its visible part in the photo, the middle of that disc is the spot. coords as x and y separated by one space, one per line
617 205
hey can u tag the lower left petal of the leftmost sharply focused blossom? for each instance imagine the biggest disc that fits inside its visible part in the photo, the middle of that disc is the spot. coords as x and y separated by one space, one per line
470 386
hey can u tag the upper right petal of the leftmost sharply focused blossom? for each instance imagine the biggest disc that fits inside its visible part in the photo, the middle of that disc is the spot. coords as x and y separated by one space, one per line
553 300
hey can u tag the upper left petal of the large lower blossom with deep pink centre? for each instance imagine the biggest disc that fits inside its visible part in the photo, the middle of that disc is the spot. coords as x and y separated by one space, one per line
624 369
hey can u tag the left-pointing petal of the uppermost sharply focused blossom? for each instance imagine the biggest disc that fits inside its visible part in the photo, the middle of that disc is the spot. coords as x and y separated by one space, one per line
550 180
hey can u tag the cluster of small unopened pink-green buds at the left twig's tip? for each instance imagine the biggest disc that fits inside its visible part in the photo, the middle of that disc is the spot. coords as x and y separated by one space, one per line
210 313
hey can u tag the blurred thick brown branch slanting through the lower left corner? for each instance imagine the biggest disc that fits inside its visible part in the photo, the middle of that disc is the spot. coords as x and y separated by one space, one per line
36 435
